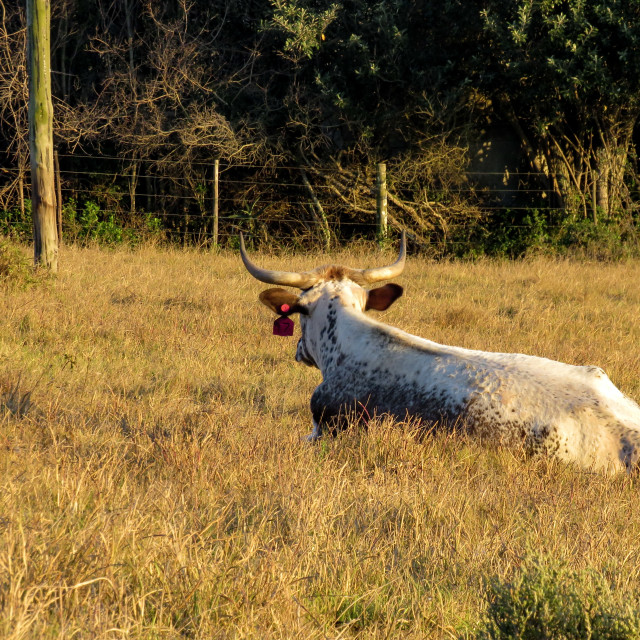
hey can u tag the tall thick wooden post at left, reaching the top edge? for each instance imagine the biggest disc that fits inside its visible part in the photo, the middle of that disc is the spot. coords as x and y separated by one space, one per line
43 198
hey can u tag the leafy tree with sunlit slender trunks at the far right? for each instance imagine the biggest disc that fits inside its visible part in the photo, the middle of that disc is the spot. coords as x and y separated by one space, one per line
566 75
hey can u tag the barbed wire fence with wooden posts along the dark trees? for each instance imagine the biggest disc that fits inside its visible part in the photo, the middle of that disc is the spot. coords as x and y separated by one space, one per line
217 200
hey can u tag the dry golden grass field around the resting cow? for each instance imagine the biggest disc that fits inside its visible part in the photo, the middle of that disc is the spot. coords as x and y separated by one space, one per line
153 483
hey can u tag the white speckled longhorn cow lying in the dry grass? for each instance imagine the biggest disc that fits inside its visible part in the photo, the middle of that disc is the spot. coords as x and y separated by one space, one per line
368 368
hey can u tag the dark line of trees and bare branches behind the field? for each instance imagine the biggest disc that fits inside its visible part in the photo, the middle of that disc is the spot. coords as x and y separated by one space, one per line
315 93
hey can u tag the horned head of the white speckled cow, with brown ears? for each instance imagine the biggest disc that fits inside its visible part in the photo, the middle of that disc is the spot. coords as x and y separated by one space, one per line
323 290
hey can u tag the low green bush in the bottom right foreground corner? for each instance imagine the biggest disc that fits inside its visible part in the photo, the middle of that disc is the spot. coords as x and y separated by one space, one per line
546 600
